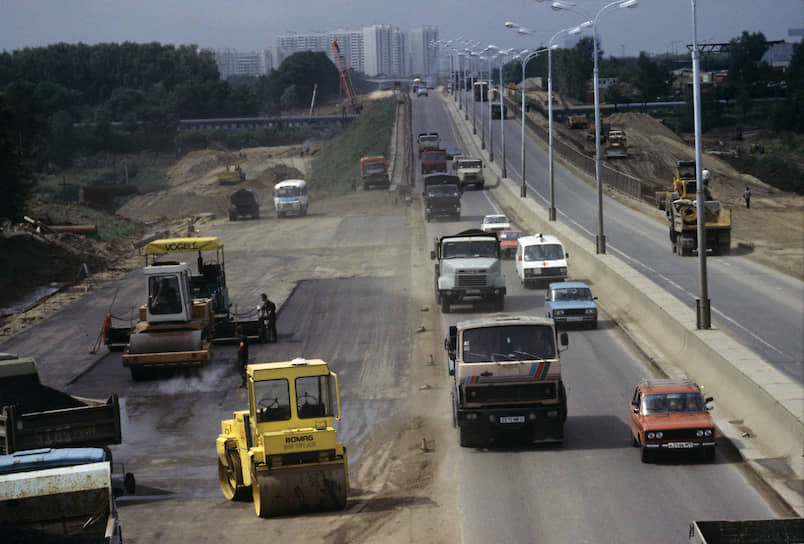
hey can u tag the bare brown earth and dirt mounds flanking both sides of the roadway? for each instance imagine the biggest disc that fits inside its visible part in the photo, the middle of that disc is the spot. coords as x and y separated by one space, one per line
771 232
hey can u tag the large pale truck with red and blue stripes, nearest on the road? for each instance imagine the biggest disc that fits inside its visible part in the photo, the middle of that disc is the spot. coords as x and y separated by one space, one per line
506 380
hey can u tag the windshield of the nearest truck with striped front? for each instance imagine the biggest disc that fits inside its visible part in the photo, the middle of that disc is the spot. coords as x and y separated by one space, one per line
509 343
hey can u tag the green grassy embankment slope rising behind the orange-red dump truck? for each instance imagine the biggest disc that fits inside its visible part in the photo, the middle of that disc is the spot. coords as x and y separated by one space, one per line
338 164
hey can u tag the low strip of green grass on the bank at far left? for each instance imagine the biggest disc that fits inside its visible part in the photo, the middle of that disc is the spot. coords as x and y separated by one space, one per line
110 227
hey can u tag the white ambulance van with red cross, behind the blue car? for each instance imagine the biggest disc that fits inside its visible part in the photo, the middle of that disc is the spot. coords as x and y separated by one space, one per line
540 259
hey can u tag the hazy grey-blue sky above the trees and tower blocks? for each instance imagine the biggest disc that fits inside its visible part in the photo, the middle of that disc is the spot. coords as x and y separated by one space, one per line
656 26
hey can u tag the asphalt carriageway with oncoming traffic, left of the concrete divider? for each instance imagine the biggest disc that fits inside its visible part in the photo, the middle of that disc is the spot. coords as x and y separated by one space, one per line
594 487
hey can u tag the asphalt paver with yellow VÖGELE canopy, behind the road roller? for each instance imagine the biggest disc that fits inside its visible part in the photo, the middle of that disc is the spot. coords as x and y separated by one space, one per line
205 287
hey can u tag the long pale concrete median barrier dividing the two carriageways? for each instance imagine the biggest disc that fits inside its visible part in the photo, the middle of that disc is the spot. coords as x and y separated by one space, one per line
760 410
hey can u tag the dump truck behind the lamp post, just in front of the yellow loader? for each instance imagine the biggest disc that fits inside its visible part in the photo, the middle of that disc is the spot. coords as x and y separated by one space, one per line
682 215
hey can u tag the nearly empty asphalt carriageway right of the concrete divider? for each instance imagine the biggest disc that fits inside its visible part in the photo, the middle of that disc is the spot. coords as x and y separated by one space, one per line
759 307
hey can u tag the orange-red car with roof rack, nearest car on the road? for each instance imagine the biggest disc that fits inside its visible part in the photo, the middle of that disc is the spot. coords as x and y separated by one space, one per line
671 415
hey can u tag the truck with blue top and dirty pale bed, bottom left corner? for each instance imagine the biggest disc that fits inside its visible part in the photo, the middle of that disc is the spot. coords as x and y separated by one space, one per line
58 495
